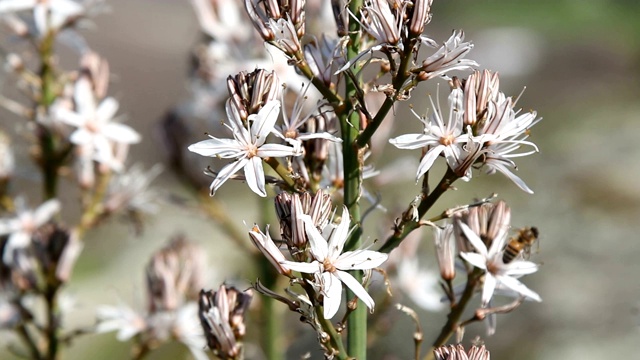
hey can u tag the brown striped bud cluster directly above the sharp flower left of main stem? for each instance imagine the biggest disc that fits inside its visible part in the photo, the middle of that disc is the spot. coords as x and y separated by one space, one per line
249 91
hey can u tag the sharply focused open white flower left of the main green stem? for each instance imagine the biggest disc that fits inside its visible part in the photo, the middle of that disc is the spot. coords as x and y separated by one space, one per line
247 148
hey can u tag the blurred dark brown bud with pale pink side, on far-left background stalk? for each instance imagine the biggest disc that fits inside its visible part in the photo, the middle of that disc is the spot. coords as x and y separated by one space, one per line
57 250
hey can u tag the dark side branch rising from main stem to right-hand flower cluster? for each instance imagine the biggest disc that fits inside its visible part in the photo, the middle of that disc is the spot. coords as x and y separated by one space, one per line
407 225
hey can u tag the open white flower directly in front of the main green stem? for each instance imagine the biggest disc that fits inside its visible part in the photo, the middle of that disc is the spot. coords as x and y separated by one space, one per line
330 264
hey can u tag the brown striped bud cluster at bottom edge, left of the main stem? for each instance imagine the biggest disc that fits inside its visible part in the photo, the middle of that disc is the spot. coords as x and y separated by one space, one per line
222 317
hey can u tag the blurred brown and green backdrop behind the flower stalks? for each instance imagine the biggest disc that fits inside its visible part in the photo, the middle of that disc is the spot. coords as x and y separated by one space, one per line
580 63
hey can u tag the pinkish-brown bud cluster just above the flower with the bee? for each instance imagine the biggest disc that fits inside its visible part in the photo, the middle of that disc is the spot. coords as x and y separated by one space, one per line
487 220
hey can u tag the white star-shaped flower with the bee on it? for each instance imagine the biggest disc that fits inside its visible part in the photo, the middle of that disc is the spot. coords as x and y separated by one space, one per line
497 273
